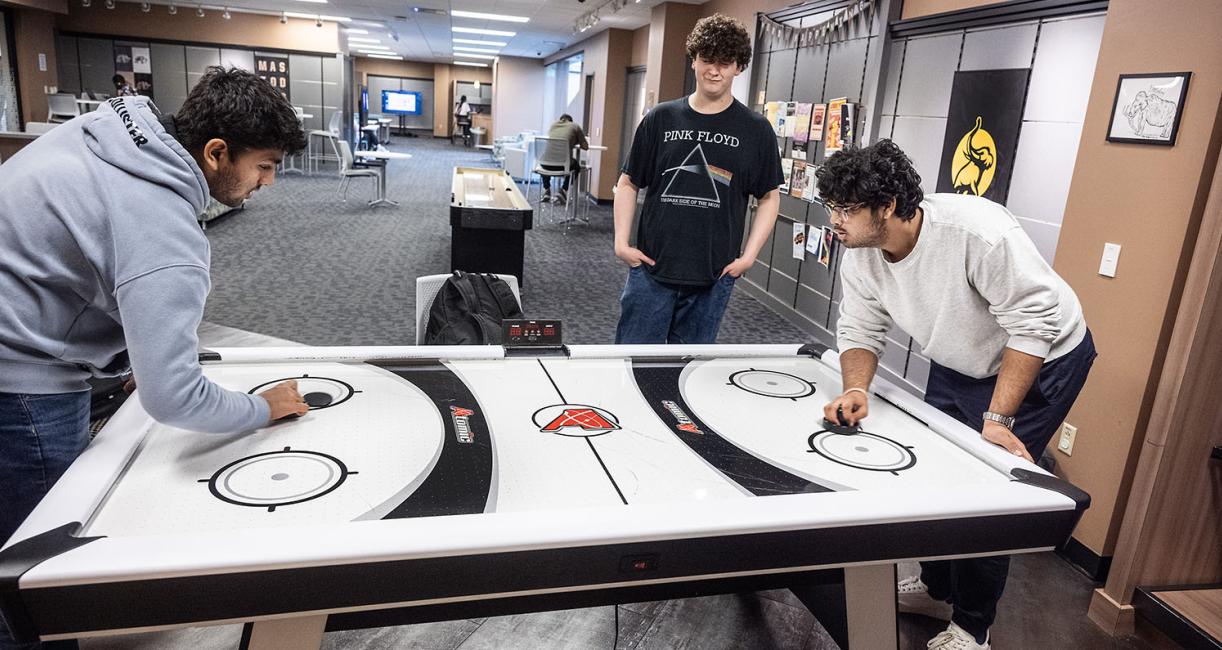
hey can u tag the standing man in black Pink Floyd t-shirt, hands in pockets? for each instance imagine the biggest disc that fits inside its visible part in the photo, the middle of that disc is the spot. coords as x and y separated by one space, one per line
700 157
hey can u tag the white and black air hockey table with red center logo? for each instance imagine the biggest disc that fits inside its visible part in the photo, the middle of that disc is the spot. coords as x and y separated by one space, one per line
436 483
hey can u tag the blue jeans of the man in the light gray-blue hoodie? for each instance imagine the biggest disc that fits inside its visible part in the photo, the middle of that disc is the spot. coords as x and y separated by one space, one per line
40 438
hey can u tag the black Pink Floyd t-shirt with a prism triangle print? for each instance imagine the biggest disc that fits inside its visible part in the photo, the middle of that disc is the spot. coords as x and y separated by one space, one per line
698 172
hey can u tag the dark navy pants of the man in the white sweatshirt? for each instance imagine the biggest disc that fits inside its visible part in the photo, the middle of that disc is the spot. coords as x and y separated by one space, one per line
975 586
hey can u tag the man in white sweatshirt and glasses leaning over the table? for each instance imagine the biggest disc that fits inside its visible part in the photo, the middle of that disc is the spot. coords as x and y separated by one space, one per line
1005 335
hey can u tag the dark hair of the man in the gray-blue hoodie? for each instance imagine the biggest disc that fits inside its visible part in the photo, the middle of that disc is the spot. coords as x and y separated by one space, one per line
241 109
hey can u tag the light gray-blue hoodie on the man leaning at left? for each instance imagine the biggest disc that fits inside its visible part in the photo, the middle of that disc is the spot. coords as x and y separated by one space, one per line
103 266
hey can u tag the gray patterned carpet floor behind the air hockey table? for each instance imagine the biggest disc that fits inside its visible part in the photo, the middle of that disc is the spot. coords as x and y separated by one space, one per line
299 263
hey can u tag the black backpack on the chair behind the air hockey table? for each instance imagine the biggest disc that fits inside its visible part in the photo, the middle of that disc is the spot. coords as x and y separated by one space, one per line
469 311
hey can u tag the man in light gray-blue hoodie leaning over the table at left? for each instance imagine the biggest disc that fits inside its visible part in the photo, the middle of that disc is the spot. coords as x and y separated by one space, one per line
103 268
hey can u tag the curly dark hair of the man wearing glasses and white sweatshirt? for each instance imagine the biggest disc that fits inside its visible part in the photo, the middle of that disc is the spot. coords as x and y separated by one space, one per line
872 175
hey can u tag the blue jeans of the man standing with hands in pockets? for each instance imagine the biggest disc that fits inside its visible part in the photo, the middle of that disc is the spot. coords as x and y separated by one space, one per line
653 312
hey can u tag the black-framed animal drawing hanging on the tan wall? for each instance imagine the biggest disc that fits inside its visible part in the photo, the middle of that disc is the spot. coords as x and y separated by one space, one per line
1148 107
